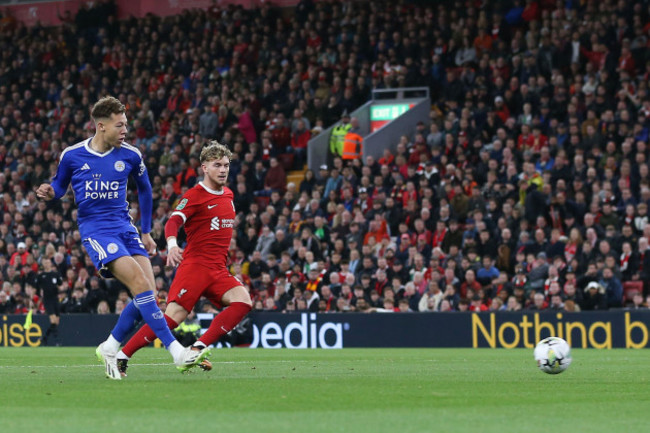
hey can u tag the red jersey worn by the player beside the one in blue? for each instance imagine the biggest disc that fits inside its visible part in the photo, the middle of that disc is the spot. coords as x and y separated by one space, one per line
209 218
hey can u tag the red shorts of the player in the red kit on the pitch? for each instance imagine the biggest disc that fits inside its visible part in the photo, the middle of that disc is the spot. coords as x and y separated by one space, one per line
193 281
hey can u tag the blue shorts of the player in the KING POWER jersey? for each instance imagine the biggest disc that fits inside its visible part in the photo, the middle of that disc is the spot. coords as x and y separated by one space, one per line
103 248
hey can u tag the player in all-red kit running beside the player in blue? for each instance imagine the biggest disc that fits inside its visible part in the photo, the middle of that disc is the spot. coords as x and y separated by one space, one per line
208 213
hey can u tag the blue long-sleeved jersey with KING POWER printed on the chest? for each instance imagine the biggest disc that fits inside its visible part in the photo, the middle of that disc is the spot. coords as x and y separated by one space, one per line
99 182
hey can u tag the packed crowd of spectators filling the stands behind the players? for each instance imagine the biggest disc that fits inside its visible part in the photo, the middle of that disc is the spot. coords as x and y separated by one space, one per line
528 188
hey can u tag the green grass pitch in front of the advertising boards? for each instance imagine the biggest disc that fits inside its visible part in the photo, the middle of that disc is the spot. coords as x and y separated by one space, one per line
349 390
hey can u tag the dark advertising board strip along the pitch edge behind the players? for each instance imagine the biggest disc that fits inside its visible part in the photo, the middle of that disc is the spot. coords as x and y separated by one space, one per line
602 330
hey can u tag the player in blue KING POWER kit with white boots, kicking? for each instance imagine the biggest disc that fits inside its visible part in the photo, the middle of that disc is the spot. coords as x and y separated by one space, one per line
98 169
